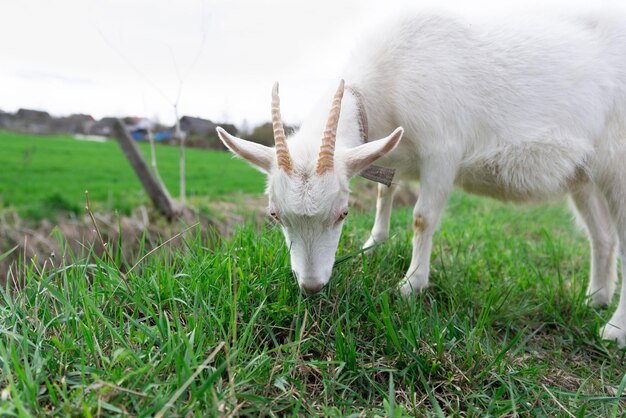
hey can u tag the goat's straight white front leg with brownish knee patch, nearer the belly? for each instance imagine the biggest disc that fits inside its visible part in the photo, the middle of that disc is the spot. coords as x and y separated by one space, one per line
436 182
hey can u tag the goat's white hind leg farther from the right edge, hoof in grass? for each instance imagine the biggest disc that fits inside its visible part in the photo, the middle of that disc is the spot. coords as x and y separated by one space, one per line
593 210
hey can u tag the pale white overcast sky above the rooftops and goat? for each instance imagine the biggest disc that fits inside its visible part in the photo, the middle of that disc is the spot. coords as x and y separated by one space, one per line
133 57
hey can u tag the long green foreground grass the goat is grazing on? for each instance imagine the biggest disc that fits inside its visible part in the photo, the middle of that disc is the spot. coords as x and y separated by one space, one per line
503 331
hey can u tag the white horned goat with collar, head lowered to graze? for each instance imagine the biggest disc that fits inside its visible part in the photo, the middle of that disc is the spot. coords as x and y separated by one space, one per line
521 112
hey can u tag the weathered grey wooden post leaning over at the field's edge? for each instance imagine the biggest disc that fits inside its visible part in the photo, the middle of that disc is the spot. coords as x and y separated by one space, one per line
156 190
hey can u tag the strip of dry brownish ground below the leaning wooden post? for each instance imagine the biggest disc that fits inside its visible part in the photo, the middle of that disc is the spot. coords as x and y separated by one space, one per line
71 239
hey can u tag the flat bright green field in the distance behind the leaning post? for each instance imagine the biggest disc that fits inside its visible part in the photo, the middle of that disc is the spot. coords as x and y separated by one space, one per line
42 175
